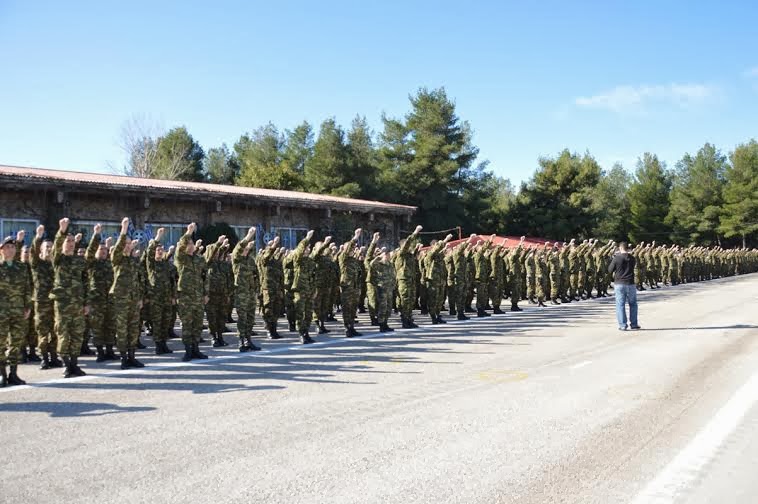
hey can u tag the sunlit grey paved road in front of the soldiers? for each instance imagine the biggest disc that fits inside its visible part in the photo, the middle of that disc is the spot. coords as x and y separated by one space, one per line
551 405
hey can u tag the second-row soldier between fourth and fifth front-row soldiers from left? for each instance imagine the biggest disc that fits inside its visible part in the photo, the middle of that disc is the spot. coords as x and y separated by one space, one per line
216 309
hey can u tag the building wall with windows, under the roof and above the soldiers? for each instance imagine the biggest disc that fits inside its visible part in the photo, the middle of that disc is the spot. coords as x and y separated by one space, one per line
25 208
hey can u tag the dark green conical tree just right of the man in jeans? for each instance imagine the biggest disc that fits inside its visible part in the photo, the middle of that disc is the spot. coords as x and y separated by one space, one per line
649 198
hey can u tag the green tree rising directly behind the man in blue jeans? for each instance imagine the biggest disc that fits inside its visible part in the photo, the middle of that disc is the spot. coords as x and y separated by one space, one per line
610 203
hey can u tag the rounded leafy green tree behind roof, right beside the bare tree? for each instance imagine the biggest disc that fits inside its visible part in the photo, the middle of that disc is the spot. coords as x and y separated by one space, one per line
178 157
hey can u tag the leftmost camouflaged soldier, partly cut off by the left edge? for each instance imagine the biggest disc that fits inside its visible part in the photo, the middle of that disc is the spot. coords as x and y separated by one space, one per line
15 310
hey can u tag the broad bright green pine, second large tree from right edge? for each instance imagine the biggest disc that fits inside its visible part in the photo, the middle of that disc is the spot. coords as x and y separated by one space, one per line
696 196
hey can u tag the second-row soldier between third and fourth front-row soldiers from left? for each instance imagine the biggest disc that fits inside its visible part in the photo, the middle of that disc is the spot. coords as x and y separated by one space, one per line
162 292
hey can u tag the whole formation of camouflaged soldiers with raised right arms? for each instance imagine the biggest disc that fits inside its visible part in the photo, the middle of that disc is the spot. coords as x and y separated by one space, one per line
58 295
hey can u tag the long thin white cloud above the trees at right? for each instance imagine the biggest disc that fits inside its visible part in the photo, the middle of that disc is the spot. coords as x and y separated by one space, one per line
635 99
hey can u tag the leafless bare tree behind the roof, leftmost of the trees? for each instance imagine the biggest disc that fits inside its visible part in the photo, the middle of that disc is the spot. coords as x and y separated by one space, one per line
138 138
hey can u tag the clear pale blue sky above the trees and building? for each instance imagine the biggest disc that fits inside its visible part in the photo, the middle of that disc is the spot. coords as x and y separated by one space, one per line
614 78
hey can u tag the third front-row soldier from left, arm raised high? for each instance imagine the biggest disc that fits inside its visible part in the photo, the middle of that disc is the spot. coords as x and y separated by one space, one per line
127 296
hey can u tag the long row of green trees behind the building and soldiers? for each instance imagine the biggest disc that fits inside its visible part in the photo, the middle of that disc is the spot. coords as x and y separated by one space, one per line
427 158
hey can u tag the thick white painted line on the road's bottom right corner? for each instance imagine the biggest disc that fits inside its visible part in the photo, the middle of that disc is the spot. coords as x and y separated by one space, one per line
681 472
